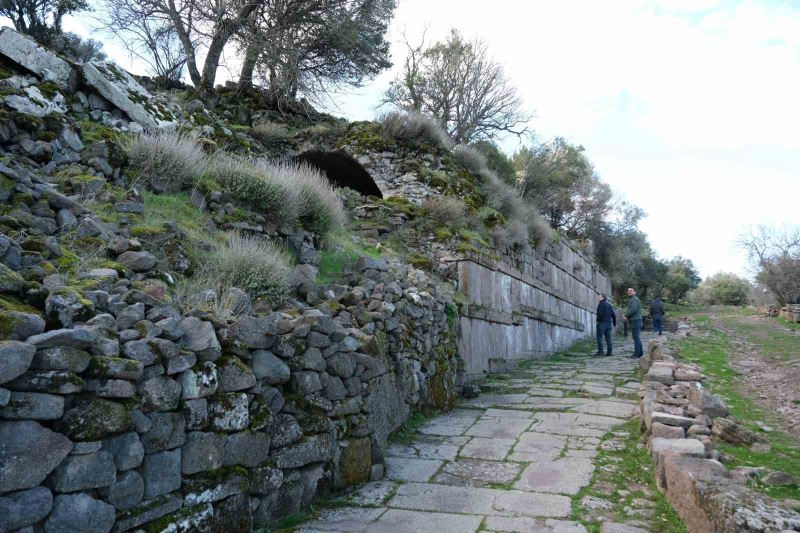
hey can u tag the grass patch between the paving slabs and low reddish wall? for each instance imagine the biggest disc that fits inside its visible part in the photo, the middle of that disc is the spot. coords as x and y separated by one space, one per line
629 469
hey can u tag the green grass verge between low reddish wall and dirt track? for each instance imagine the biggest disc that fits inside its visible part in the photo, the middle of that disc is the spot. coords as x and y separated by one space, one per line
711 352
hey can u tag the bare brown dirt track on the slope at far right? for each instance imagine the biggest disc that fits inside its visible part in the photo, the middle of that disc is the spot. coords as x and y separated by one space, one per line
767 355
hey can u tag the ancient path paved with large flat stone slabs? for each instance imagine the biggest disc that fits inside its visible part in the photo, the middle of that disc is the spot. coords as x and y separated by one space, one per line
511 460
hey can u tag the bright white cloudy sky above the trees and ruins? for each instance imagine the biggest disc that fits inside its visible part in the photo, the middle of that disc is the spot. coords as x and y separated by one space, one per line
687 108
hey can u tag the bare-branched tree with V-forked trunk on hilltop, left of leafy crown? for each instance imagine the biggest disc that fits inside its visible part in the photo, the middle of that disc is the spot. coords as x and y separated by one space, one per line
200 26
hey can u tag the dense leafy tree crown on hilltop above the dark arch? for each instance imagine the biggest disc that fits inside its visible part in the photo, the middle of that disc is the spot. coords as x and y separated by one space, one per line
311 47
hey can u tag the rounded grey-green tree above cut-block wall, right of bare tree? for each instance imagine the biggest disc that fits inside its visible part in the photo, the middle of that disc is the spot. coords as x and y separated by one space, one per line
559 179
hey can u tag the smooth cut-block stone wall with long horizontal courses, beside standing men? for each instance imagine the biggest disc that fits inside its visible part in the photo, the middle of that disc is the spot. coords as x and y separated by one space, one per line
525 304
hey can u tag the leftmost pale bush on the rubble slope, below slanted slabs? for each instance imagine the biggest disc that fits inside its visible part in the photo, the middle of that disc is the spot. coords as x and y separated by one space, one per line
166 161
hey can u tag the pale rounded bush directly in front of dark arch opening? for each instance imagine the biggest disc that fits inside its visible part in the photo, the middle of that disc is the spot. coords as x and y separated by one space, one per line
318 206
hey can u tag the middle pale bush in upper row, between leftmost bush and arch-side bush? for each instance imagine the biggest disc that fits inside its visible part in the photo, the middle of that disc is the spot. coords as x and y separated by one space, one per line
272 193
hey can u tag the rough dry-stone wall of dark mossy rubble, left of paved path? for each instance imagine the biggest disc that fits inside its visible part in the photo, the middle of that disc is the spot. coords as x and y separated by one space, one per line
141 416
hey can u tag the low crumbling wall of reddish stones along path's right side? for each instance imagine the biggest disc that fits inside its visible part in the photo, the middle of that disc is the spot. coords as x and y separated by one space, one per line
680 416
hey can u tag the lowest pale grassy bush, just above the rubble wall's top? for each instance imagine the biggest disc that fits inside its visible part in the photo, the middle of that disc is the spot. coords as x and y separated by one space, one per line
253 264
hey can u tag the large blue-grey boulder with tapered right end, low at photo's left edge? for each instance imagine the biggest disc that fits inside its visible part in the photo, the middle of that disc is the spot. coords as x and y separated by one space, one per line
28 453
